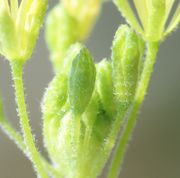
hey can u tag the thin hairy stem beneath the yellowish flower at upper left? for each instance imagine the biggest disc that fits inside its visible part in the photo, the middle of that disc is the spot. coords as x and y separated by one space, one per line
17 71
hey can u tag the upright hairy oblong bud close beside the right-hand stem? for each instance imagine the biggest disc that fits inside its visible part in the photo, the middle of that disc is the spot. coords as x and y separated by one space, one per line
126 55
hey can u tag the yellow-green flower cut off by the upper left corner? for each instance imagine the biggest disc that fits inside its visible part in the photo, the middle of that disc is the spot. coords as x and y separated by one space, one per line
19 27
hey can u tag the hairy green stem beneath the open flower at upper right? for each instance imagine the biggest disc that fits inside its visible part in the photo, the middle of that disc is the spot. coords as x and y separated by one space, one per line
132 117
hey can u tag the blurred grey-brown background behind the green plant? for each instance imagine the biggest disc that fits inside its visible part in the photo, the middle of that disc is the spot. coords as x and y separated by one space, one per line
154 151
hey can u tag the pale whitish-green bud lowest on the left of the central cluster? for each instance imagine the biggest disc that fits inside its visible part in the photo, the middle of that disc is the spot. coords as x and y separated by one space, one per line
60 144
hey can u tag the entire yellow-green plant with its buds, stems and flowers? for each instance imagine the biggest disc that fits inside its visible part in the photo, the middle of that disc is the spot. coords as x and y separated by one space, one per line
86 104
